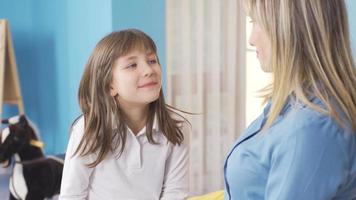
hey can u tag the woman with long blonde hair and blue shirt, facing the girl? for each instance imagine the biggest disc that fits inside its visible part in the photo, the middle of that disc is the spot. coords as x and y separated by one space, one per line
303 146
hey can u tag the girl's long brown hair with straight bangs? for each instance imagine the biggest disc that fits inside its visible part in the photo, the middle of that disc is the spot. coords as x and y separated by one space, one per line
102 112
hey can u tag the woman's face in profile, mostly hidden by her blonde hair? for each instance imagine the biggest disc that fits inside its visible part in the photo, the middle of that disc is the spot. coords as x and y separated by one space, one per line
260 40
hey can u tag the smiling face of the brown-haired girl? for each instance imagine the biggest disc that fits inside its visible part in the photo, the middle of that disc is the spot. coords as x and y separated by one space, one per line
136 79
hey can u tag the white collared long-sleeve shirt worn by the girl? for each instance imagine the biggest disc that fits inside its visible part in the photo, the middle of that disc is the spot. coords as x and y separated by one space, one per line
144 171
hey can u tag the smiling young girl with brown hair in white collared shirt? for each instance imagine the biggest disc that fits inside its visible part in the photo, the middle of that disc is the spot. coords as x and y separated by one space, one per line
128 144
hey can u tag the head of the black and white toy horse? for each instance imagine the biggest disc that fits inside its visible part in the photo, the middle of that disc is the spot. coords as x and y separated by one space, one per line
19 138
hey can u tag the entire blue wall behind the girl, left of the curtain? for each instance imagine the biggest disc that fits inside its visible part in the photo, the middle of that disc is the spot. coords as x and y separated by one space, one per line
53 40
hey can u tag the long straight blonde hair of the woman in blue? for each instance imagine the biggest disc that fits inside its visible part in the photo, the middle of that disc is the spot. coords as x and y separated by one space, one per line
310 55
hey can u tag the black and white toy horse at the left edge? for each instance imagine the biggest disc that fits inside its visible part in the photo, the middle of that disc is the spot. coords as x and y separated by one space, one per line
34 176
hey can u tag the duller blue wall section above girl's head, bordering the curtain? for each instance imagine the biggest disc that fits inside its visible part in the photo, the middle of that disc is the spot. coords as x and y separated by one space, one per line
146 15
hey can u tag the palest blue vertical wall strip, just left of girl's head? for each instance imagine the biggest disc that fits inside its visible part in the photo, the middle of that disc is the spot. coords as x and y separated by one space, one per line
88 21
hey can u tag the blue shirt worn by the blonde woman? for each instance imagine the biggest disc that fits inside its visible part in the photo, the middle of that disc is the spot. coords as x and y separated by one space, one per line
304 155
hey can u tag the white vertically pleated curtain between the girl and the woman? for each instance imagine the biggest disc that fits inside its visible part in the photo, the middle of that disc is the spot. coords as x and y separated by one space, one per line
206 54
